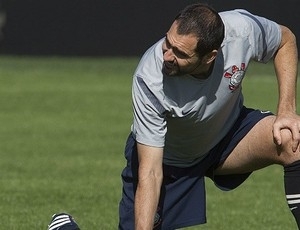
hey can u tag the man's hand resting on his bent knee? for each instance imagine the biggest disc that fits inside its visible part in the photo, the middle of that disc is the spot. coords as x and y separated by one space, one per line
290 121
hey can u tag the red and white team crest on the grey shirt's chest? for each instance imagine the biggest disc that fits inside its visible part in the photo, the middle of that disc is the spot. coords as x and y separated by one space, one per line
236 75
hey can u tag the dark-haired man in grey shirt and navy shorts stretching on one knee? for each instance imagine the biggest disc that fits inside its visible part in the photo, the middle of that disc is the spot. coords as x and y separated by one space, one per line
190 122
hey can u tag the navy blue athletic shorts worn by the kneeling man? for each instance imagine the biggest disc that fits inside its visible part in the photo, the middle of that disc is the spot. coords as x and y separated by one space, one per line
182 201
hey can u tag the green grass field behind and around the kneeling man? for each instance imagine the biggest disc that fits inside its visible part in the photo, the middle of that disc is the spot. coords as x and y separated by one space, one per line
64 122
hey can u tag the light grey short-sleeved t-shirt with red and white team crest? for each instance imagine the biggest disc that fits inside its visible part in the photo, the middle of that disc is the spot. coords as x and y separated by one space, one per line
187 116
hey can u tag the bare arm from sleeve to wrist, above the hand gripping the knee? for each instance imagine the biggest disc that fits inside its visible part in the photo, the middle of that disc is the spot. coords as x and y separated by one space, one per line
286 63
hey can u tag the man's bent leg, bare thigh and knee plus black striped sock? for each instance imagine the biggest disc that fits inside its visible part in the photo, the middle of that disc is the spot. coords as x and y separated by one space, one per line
257 150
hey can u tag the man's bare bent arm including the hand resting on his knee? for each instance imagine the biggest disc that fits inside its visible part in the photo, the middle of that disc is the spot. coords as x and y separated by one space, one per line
286 63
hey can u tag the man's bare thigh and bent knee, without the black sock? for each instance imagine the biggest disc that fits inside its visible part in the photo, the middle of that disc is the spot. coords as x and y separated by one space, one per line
258 150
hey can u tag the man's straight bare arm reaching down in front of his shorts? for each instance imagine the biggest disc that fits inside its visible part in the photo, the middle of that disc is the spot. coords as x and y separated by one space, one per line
150 176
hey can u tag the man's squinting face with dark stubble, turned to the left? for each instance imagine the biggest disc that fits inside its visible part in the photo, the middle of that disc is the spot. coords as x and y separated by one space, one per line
179 53
